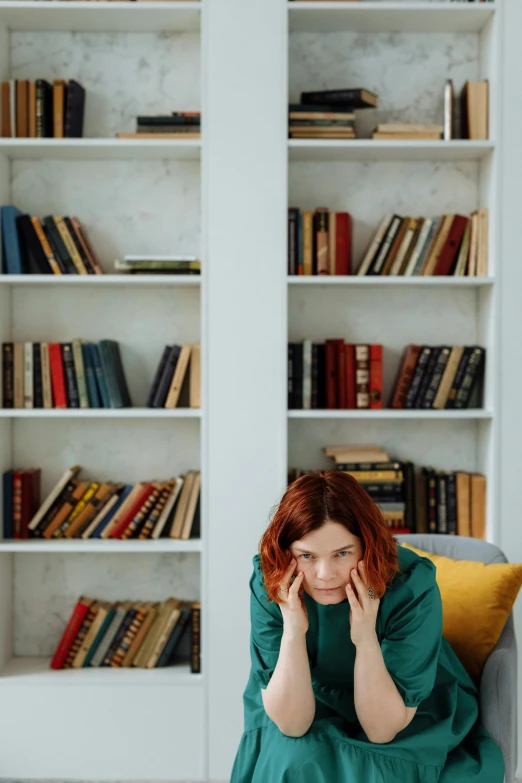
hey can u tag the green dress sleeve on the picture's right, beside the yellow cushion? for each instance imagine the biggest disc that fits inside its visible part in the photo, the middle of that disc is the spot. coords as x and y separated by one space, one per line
413 632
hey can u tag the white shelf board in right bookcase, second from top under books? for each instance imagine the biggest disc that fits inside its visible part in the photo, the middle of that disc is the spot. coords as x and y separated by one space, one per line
429 282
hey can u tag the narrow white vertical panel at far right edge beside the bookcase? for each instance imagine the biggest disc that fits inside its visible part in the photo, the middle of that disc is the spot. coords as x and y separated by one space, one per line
511 307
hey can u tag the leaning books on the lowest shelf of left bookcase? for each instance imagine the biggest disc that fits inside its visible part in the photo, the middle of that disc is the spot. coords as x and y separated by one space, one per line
140 634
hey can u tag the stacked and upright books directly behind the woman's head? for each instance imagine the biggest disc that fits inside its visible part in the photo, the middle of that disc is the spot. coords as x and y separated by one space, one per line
414 499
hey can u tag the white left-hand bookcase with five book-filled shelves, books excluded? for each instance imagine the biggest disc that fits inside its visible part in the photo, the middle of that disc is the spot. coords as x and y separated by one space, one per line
132 196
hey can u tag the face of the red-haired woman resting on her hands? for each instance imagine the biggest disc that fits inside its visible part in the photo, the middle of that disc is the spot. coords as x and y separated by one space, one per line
326 557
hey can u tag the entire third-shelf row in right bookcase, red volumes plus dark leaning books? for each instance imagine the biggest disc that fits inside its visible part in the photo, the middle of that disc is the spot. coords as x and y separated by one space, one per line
338 375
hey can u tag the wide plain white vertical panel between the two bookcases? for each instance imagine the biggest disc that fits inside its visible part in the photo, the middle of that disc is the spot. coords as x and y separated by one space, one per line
245 159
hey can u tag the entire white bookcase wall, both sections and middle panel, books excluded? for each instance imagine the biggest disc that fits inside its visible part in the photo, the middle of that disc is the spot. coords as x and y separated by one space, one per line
230 192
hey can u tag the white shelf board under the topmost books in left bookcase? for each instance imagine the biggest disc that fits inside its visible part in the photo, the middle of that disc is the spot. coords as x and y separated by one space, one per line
100 149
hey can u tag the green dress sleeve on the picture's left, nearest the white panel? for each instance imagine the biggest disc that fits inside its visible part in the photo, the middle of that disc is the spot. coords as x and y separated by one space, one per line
266 629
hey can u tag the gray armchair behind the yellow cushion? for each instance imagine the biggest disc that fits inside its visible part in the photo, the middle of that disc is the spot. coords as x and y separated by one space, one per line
498 686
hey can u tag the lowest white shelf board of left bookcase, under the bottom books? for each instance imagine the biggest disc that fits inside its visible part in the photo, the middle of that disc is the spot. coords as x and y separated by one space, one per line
36 671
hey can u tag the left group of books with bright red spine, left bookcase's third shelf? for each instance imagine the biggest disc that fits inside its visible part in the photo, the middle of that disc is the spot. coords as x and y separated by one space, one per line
75 374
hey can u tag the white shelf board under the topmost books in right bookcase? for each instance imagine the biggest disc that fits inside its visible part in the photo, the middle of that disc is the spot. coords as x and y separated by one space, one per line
376 150
